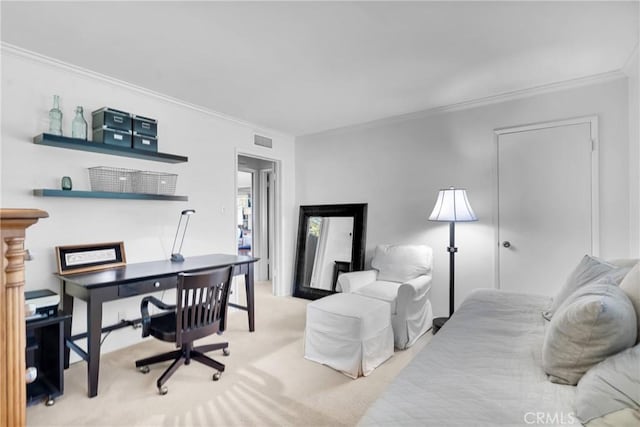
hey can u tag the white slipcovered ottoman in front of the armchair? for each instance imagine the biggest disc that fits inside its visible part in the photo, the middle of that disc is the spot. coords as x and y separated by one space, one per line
349 332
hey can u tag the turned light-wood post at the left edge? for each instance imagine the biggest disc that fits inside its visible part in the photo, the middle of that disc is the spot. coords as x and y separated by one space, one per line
13 400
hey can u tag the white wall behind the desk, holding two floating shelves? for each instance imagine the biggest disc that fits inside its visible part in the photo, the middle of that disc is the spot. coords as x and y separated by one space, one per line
147 228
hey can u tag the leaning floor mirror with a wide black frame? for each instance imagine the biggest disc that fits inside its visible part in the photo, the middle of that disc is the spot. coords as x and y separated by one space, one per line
331 240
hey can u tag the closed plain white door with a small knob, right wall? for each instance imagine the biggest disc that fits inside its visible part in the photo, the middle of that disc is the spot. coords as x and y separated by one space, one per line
547 203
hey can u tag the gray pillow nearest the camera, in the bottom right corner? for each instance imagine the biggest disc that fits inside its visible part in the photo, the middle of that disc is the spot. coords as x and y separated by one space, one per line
610 386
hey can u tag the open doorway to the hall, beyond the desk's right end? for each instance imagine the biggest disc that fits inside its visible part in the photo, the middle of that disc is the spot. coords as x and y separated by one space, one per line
255 216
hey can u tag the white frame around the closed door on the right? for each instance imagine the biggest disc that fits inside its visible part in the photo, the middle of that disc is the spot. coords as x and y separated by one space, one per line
592 121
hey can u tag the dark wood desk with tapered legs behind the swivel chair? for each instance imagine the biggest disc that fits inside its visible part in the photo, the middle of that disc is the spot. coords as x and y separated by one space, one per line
99 287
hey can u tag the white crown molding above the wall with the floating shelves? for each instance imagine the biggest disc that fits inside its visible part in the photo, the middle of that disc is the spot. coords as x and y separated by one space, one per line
7 48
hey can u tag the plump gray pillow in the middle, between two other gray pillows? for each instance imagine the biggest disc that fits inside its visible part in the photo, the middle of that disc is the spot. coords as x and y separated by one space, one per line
595 322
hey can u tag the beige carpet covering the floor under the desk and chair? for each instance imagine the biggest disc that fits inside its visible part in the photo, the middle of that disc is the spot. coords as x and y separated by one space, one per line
267 381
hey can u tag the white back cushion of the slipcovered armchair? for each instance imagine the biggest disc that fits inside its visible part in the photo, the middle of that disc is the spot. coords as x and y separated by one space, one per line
401 263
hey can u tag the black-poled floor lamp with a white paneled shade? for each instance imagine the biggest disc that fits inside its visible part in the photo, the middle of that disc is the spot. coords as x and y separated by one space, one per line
452 206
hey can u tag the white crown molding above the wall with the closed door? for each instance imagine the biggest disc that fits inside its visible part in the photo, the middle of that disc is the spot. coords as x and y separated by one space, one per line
480 102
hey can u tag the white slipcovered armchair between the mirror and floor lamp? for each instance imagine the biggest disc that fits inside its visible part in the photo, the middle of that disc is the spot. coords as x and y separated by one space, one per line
401 276
